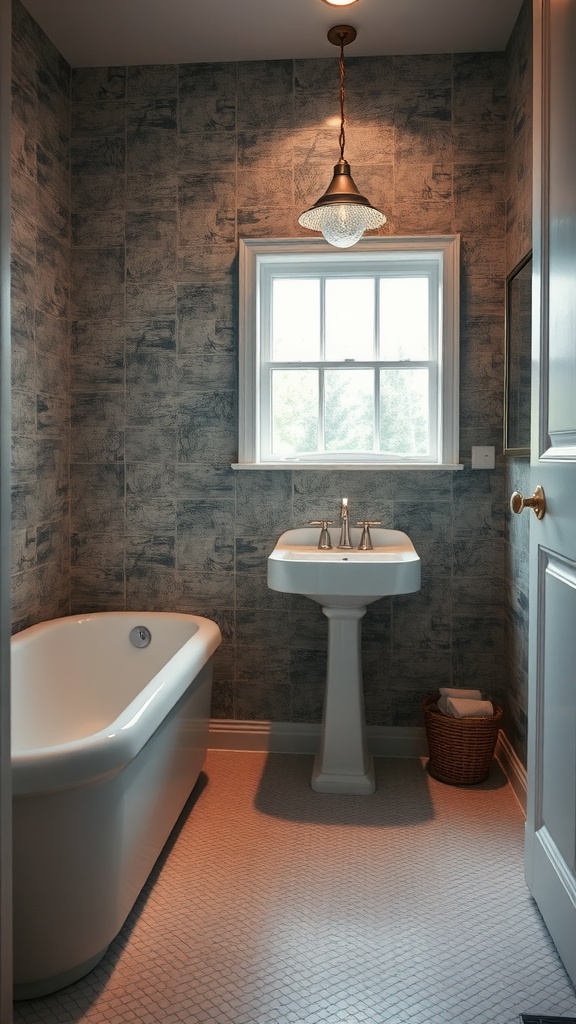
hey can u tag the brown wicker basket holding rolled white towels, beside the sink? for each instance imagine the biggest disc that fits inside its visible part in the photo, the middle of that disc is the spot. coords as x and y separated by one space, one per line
461 749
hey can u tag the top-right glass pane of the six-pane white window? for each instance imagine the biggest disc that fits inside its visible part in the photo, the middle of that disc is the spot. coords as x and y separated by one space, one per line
404 318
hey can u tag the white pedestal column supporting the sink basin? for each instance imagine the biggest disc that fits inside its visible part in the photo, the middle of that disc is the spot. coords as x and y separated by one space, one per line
344 764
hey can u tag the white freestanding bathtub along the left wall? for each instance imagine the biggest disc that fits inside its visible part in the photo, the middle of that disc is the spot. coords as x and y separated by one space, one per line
108 742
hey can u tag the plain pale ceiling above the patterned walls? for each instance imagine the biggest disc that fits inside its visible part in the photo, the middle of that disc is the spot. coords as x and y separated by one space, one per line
134 32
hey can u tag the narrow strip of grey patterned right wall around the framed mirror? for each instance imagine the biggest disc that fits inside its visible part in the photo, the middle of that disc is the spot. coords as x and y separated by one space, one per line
519 243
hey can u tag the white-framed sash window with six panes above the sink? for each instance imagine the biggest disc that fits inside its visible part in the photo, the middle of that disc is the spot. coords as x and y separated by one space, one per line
350 358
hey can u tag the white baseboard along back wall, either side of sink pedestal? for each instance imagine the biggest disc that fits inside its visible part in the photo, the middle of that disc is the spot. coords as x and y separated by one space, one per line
303 738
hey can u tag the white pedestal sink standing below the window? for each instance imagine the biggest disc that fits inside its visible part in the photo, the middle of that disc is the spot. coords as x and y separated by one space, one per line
344 582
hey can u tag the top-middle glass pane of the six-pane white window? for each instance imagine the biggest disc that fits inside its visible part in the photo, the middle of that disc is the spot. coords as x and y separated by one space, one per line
350 319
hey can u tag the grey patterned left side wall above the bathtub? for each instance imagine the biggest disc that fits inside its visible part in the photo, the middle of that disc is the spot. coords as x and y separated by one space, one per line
42 326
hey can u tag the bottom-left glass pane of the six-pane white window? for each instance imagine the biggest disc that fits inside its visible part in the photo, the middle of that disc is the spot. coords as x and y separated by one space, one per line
295 411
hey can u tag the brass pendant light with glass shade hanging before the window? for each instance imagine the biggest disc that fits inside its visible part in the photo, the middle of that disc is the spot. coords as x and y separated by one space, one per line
342 215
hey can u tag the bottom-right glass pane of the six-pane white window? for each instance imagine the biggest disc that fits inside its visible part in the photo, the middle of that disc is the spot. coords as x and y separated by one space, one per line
404 412
